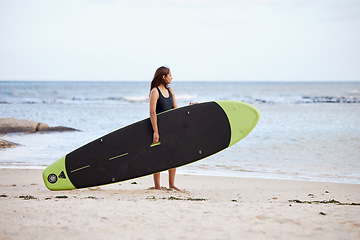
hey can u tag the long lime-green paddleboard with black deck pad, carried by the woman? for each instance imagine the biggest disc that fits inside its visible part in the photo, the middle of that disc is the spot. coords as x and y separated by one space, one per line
187 134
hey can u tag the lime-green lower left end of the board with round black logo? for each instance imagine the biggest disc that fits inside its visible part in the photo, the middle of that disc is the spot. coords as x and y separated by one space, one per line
55 176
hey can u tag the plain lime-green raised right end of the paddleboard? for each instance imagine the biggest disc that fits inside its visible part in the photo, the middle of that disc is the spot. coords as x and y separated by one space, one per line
242 118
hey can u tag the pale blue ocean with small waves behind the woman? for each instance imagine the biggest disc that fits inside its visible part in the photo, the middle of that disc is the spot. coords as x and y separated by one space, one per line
307 131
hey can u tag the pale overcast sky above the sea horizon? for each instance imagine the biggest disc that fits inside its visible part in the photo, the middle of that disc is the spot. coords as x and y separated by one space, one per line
244 40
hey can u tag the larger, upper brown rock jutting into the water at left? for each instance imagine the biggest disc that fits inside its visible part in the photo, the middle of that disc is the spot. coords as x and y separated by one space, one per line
12 125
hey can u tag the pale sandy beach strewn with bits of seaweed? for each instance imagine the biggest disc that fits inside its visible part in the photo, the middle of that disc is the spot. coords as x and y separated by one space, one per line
209 208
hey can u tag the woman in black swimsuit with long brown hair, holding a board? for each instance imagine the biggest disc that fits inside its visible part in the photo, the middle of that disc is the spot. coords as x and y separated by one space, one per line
162 98
